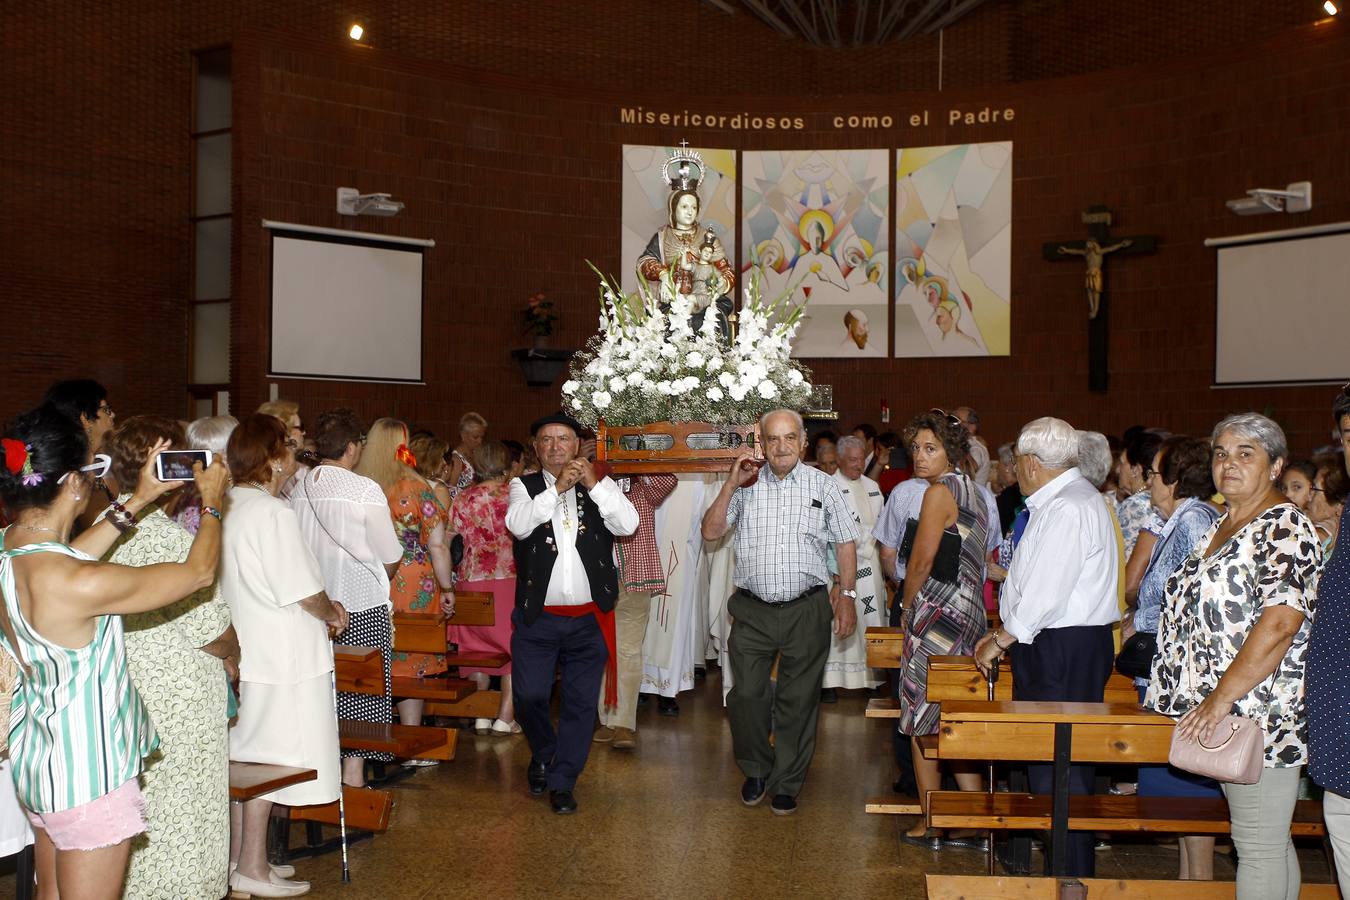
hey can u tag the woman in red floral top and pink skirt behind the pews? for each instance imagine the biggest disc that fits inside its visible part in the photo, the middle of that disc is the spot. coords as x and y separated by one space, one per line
480 516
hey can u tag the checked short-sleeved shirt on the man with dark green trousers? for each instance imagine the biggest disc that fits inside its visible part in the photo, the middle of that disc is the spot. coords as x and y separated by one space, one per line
784 527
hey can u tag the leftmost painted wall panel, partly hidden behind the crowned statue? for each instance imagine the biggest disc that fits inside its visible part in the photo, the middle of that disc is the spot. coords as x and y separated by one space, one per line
647 195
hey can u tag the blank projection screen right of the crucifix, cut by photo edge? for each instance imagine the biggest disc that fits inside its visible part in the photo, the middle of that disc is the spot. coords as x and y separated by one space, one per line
1285 311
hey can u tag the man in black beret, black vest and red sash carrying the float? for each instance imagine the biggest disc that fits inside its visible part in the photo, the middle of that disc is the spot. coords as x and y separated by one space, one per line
565 520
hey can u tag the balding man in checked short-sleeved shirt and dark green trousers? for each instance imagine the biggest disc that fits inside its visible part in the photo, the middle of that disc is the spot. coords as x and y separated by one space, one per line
785 513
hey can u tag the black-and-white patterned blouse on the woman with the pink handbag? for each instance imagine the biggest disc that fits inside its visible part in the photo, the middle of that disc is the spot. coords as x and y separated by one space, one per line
1213 602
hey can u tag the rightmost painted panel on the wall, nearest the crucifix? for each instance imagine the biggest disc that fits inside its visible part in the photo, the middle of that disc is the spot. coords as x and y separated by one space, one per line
954 250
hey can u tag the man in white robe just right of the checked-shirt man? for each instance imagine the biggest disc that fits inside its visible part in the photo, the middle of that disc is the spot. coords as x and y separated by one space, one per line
847 665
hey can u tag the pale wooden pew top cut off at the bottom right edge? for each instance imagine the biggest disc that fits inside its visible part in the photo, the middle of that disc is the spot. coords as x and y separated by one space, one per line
965 887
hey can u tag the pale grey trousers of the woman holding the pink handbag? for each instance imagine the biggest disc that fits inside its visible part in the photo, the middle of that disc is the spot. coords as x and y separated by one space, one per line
1262 813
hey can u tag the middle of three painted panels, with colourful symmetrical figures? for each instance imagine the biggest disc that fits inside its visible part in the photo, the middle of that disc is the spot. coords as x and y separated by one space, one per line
816 223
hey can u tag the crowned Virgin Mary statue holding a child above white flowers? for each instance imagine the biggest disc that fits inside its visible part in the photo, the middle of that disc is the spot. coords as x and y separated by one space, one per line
695 258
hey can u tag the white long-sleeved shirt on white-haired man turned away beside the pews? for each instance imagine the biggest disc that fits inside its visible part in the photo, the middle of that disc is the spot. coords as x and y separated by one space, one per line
1066 567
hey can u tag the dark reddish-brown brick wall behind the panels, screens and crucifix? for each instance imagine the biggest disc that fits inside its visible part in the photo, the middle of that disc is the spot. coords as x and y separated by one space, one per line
503 137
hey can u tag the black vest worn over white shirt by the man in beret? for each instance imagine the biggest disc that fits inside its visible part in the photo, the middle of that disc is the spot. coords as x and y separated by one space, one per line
537 555
